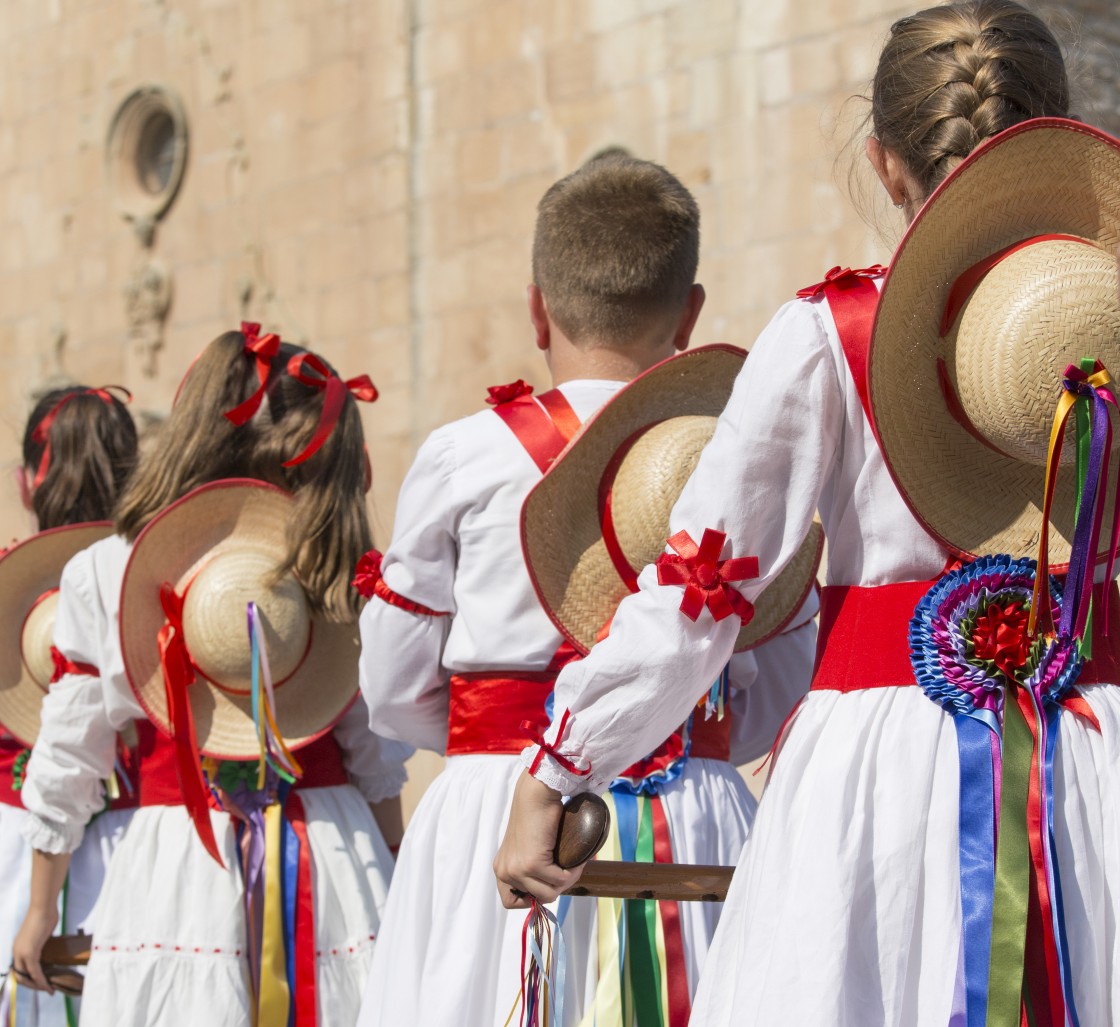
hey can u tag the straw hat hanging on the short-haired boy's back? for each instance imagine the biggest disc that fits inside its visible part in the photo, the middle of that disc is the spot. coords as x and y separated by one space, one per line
640 450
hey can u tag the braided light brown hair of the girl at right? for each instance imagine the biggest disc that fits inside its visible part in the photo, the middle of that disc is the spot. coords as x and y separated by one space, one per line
953 77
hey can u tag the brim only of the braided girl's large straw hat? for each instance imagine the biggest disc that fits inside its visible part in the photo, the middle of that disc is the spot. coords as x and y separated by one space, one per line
1041 178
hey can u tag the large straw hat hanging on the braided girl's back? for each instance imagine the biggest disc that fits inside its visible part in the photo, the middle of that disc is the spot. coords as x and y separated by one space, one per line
965 418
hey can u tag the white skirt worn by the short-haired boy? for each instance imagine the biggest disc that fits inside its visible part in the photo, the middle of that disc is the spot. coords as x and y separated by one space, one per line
451 954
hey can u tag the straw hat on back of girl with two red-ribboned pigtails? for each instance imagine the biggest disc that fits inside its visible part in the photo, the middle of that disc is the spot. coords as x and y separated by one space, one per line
220 548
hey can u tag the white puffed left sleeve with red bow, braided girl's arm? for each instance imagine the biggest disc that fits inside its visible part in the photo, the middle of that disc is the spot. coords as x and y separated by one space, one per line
759 481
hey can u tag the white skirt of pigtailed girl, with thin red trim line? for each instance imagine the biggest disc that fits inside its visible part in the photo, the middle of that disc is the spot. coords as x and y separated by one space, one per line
171 926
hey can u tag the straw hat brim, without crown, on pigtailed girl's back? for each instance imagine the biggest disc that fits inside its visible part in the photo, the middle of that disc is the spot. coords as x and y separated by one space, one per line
221 517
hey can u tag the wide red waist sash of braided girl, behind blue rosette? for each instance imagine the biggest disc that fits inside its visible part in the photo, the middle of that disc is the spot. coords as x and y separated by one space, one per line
864 637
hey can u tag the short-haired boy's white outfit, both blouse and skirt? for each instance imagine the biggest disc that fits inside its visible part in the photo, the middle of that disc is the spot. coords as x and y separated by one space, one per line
450 951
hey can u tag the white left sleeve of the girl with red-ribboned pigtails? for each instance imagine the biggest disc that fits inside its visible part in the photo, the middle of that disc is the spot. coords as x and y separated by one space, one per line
77 748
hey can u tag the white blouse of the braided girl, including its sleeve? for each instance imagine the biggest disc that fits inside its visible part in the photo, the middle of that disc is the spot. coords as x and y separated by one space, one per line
794 440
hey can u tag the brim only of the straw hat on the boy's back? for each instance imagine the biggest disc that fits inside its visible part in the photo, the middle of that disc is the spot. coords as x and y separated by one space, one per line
568 563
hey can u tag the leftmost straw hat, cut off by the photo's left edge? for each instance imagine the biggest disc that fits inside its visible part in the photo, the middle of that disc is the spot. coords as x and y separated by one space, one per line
30 574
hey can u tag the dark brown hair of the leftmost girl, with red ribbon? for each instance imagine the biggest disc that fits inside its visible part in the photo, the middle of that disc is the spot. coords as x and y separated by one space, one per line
92 452
